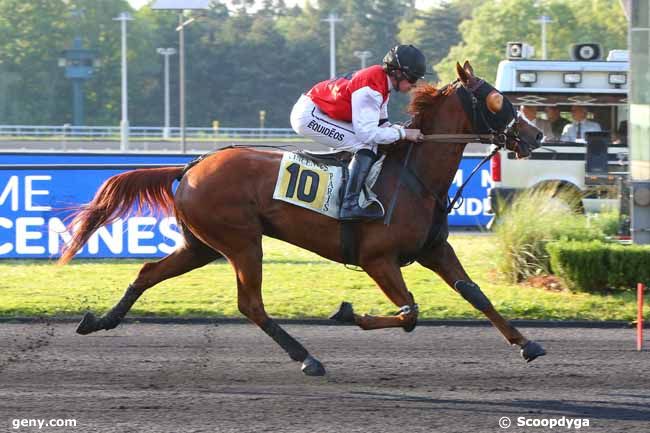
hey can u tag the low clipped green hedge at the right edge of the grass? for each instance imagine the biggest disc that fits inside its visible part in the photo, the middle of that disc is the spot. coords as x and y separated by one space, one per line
597 265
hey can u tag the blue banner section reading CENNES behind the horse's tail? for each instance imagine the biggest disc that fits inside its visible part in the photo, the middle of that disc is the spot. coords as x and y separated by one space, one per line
35 207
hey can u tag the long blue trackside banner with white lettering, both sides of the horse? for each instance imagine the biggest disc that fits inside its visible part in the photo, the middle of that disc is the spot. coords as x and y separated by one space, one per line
36 203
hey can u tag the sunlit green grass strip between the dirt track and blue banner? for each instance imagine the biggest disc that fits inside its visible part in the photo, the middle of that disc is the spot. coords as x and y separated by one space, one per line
297 284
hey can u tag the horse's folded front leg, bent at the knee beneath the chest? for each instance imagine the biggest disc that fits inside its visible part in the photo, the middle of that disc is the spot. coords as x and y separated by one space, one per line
388 276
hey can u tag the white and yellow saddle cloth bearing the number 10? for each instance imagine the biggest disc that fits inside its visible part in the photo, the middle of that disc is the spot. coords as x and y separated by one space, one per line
318 186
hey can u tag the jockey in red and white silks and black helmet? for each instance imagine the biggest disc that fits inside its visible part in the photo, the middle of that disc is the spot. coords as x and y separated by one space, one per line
350 113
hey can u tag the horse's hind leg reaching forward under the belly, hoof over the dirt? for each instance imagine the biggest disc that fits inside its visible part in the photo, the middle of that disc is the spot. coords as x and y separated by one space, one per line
247 263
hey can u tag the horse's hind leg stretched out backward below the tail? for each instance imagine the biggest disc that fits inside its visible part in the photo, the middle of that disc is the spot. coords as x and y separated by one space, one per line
193 254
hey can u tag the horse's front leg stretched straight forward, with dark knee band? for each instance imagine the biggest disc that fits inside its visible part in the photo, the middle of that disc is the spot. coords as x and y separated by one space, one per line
444 262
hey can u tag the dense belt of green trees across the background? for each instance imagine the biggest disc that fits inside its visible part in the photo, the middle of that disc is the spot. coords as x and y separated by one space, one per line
242 60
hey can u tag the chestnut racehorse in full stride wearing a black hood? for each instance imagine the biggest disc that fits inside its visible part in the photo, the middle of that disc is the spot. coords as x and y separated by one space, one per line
224 205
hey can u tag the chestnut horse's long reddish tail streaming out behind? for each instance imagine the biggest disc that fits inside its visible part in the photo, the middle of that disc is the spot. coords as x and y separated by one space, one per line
147 189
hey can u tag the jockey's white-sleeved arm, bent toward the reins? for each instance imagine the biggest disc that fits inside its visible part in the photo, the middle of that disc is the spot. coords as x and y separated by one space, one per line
366 112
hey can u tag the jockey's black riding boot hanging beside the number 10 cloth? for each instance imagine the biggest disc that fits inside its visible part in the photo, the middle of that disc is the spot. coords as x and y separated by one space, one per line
358 171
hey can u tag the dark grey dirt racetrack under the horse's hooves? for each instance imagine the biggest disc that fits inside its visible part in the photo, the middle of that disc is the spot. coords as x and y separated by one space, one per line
233 378
